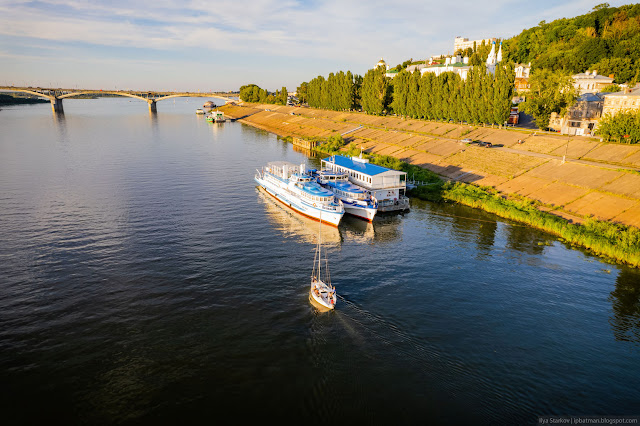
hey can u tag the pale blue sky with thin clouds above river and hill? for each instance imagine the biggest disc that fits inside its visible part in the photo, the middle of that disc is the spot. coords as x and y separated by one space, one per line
221 44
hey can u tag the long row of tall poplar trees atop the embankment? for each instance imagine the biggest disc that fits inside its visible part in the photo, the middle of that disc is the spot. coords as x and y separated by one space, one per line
481 98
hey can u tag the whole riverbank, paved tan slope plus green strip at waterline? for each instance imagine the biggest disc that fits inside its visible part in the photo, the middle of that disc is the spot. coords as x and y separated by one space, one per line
594 204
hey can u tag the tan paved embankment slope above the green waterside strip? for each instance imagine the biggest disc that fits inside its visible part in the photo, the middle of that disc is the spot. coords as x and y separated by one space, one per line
598 179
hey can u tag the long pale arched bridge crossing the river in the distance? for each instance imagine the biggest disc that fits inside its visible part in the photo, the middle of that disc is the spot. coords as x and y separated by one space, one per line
56 95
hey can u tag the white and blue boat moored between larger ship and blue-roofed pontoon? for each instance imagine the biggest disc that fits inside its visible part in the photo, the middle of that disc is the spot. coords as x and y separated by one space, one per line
356 200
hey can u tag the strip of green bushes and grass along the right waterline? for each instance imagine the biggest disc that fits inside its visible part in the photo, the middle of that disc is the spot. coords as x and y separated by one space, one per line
603 238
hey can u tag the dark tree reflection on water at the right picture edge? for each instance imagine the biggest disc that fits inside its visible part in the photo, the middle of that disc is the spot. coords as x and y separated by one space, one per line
625 300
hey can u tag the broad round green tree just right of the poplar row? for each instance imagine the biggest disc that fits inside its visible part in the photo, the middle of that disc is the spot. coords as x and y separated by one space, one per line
550 92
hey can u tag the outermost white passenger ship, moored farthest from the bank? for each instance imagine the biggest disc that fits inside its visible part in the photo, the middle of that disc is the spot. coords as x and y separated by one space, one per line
298 190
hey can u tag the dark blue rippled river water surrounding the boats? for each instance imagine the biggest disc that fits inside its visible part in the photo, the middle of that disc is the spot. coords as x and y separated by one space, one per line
145 279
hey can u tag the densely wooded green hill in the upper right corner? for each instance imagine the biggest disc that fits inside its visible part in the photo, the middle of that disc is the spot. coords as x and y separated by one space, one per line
607 40
